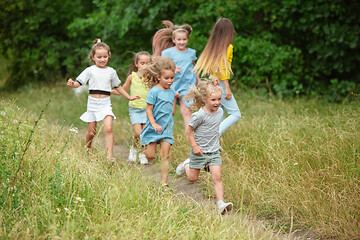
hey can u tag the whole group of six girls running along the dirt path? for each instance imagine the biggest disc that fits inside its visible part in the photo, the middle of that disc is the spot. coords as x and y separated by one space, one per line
157 84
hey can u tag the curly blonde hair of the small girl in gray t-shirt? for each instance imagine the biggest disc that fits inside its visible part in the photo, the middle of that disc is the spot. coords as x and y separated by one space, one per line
202 90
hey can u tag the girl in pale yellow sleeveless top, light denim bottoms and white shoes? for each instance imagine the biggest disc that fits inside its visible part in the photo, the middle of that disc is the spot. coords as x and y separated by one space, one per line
137 108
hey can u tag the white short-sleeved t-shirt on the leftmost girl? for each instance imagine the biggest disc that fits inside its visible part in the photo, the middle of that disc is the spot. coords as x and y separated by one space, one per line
103 79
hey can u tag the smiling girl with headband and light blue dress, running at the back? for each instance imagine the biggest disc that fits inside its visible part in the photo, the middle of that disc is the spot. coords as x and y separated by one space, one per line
171 41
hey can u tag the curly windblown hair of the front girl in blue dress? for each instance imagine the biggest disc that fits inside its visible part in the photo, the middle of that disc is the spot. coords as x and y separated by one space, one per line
150 73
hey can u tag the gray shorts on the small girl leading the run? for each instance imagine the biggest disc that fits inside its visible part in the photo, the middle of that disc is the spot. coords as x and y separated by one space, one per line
204 160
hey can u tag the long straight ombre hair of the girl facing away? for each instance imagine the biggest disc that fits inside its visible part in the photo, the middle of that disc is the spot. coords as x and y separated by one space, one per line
214 57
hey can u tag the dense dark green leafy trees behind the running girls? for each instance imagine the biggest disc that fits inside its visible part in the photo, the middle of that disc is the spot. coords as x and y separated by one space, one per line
284 48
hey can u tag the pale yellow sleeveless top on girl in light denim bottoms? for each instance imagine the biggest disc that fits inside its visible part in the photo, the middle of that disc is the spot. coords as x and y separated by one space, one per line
138 88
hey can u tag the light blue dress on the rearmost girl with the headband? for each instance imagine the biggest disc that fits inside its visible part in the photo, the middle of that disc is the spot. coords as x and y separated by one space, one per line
186 77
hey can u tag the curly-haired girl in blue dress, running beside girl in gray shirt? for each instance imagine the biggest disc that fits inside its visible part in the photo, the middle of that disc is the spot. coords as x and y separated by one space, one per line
159 76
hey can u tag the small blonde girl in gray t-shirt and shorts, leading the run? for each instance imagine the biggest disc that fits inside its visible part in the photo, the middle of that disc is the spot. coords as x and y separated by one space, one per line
203 134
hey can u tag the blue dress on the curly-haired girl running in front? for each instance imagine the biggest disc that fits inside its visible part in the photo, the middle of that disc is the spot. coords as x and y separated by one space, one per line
162 111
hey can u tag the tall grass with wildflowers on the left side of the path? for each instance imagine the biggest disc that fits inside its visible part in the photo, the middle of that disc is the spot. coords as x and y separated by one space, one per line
63 192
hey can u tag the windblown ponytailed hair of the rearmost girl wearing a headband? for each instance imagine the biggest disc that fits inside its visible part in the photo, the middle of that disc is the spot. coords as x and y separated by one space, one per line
163 37
